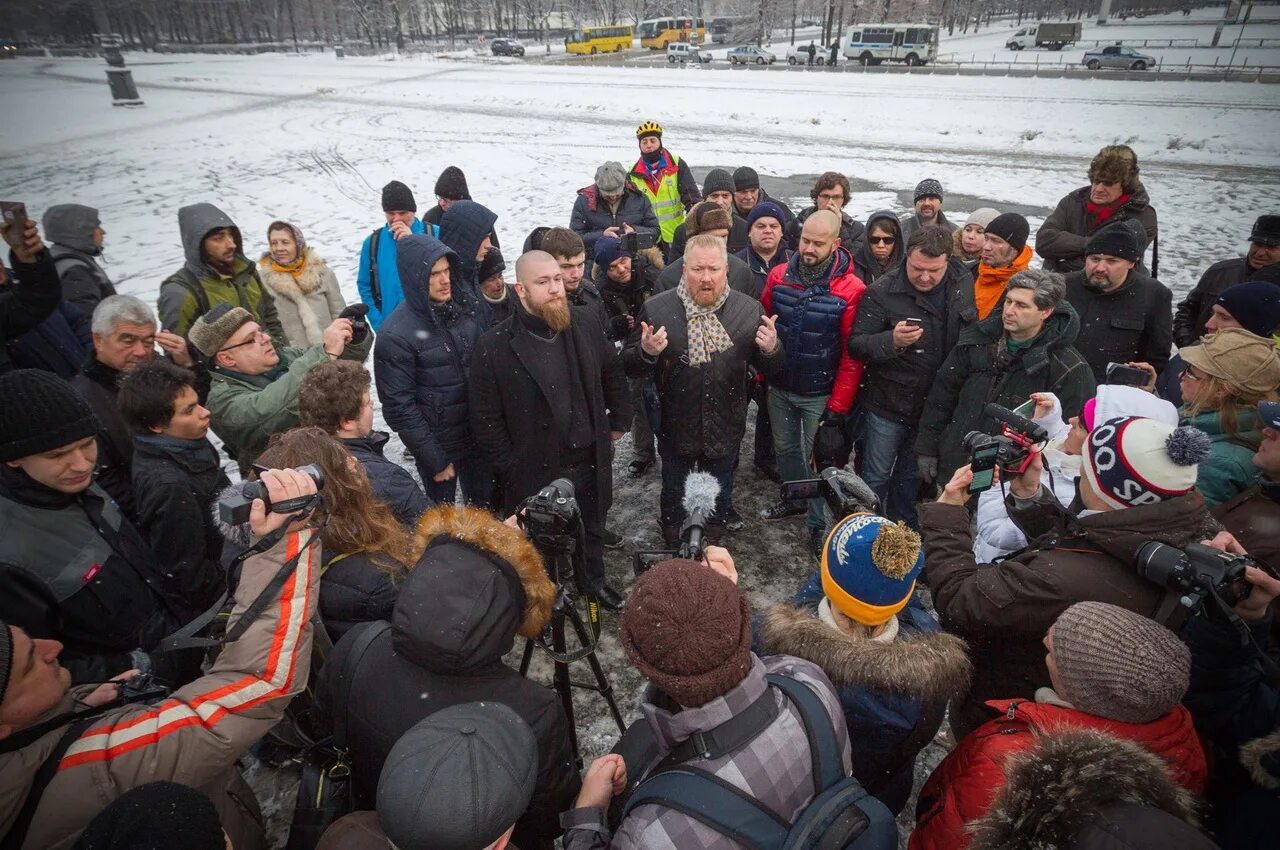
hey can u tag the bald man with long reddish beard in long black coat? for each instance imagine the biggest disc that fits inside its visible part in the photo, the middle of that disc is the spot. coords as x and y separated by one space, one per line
548 395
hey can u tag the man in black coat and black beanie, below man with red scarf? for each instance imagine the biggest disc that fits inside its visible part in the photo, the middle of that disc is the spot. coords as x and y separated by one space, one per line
1126 316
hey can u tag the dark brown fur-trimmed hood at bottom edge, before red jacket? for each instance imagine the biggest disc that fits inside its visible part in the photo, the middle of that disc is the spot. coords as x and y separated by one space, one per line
1068 782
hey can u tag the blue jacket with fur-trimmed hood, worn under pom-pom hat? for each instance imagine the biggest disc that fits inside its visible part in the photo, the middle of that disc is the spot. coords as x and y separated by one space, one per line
894 694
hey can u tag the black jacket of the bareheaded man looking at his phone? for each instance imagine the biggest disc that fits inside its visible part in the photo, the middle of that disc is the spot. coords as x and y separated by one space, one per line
895 383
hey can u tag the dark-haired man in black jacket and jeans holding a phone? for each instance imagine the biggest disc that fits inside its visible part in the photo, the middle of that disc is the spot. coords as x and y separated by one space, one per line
908 323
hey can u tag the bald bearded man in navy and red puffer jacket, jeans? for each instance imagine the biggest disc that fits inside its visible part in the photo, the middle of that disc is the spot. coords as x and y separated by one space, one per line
815 298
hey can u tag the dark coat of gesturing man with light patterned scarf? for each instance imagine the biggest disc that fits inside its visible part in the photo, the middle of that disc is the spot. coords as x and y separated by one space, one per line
703 408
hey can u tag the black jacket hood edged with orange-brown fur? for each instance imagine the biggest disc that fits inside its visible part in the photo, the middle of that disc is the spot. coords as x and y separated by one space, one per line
478 584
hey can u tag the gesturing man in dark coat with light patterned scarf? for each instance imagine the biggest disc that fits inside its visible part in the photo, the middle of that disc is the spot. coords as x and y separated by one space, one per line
698 342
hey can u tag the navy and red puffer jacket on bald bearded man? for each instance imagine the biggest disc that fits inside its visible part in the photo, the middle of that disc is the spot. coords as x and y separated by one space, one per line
815 323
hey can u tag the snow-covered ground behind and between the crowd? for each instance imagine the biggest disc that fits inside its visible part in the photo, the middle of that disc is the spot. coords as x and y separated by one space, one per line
313 140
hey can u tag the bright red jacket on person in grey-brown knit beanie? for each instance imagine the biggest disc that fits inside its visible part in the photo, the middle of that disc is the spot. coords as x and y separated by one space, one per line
963 788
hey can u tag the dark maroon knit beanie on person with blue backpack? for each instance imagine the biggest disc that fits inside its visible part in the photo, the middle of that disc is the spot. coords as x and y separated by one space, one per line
688 630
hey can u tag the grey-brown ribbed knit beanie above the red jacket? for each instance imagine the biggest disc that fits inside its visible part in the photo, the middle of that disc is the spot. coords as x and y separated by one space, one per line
1116 664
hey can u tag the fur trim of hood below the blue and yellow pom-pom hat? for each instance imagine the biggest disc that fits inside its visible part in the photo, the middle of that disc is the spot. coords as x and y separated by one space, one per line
930 668
